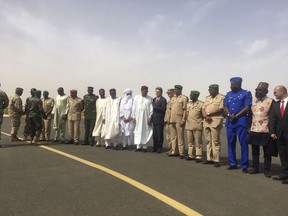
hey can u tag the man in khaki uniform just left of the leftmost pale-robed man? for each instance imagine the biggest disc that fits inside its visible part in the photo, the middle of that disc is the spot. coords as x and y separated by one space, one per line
48 104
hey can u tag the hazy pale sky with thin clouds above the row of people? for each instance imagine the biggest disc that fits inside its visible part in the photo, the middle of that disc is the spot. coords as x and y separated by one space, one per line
128 43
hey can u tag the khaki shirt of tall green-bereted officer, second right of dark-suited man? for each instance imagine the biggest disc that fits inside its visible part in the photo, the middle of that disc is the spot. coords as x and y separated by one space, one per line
178 106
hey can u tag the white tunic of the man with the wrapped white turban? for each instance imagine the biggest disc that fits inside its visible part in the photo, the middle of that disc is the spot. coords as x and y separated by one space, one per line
126 112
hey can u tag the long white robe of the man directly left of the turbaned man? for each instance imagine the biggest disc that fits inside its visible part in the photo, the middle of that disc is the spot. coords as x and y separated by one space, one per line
111 111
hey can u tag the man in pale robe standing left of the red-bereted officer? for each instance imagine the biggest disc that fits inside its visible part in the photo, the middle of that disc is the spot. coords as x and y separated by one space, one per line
60 111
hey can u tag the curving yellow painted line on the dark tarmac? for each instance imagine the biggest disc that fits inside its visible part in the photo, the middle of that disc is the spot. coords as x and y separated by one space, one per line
169 201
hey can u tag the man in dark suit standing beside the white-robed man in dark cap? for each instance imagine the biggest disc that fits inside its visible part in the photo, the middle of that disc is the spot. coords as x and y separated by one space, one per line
159 108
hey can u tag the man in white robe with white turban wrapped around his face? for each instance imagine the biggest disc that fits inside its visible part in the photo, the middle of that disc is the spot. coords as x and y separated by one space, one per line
126 121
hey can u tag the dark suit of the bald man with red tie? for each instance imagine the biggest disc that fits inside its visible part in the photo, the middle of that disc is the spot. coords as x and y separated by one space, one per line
279 126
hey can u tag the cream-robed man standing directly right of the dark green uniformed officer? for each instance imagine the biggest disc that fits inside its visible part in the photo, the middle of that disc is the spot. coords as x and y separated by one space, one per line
100 104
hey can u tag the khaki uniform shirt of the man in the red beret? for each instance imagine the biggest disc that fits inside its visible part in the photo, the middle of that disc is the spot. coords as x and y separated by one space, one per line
75 107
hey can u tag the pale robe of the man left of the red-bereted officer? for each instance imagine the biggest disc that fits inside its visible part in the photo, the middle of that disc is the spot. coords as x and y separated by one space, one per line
59 110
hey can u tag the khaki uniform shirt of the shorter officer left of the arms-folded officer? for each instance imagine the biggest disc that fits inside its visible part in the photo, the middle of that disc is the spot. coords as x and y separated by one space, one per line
194 116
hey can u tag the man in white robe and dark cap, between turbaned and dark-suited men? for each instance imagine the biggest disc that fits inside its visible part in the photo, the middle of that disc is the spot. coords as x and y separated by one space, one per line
141 113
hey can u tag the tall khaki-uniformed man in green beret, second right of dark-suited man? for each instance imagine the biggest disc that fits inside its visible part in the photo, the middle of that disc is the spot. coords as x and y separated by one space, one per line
177 120
